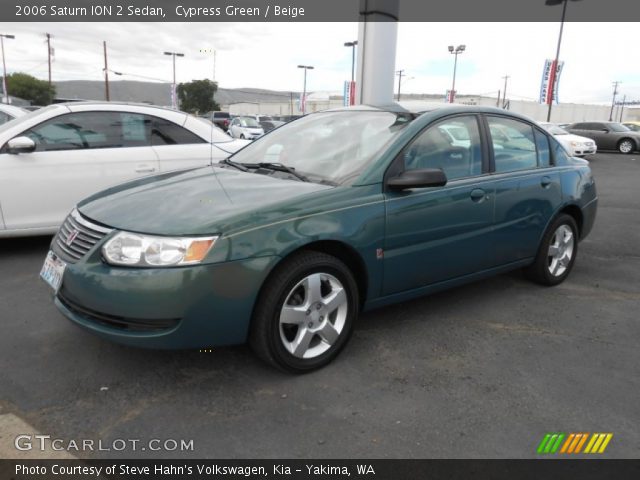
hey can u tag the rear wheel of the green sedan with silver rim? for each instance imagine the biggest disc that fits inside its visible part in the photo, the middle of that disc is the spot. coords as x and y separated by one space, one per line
557 252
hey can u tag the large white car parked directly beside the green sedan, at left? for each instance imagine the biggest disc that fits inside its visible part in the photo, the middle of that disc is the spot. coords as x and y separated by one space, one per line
54 157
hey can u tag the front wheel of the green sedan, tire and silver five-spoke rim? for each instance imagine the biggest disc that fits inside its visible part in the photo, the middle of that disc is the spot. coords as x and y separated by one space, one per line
305 312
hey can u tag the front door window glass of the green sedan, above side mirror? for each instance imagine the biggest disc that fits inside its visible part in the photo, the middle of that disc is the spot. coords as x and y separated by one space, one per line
452 145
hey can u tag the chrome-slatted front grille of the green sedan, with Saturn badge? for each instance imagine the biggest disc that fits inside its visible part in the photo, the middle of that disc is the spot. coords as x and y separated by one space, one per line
76 237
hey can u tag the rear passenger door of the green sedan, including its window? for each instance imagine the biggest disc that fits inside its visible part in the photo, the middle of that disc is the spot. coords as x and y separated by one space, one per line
527 187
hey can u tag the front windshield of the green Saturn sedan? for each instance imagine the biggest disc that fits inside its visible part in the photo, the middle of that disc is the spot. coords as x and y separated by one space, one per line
330 147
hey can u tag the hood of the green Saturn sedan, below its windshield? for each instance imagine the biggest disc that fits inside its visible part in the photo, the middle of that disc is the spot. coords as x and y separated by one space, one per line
195 202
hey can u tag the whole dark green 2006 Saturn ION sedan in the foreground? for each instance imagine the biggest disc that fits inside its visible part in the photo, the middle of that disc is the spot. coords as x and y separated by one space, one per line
283 244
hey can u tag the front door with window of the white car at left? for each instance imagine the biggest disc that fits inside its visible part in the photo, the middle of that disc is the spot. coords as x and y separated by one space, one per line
77 154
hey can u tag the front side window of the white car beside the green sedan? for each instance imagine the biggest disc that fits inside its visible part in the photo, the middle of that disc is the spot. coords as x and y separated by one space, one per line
83 130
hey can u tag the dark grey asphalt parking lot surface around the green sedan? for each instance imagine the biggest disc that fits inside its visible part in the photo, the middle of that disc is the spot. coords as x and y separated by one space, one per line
484 370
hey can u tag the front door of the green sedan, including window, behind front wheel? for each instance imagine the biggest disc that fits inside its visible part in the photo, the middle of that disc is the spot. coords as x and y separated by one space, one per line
440 233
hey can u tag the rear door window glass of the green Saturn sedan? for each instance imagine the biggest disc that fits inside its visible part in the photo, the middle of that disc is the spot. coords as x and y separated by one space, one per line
514 146
